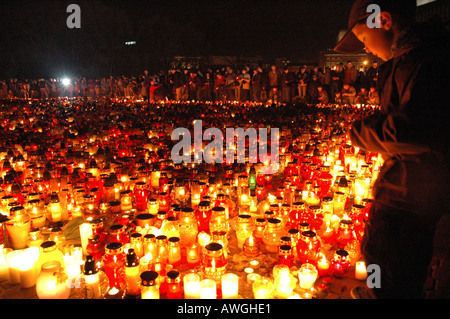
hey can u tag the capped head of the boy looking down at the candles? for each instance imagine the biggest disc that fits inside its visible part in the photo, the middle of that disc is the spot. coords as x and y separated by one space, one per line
376 32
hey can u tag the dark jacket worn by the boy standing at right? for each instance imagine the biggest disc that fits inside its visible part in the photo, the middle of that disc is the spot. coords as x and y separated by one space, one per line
411 131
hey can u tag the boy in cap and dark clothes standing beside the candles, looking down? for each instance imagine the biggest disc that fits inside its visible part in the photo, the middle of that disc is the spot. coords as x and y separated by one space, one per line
410 132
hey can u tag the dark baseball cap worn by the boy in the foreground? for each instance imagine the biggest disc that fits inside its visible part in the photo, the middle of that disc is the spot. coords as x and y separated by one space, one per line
349 43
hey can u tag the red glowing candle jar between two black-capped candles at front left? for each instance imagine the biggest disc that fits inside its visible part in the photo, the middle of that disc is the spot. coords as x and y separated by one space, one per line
113 263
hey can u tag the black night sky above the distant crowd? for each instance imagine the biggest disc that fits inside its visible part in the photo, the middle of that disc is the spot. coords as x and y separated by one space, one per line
35 41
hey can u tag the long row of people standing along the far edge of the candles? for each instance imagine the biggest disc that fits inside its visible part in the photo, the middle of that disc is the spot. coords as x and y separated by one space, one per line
341 84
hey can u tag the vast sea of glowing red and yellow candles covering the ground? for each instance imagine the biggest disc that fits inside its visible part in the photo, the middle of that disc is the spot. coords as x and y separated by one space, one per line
168 214
